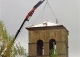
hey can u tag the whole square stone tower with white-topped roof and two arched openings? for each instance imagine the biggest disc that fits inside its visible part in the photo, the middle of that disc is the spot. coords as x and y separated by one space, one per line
42 37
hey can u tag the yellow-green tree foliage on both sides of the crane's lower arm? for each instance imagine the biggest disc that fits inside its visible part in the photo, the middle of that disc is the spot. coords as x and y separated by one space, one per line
6 41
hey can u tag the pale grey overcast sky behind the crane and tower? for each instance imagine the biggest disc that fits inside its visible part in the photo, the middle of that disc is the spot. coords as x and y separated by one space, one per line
67 12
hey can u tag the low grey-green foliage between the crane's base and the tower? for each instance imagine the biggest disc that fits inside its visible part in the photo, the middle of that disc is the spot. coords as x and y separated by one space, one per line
18 50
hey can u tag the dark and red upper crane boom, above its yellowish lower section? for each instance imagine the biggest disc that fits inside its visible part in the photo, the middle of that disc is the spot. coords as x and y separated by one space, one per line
28 16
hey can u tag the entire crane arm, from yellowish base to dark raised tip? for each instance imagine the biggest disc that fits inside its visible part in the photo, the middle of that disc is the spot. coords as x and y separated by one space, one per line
7 50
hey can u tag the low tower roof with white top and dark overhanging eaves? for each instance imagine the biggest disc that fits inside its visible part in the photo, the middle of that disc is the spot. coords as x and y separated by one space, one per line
46 25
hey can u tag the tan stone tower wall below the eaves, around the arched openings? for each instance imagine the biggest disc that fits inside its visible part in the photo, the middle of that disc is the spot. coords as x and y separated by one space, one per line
60 35
